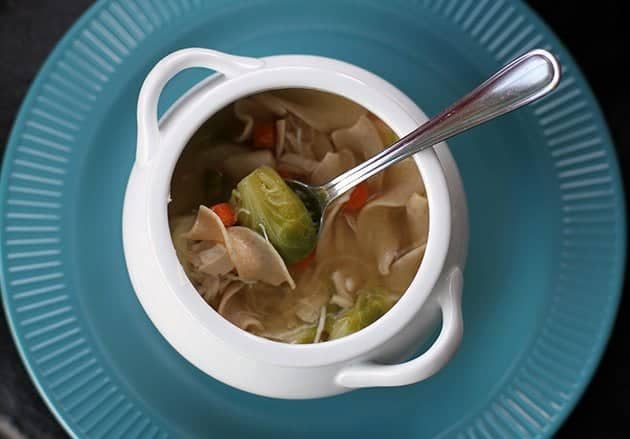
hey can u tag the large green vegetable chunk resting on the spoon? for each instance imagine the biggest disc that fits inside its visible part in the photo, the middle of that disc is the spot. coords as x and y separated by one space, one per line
266 204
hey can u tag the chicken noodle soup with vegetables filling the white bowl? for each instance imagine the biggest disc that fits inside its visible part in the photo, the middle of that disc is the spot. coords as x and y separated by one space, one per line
249 245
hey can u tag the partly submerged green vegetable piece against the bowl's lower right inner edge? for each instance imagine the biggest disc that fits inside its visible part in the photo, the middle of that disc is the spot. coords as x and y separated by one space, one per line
371 304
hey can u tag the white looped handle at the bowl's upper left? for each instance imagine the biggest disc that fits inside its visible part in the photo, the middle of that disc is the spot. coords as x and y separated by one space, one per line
164 70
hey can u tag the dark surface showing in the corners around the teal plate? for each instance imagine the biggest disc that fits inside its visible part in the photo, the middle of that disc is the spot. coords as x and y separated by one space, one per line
595 33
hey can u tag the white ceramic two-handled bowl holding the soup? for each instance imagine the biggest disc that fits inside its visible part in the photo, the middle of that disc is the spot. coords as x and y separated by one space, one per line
254 364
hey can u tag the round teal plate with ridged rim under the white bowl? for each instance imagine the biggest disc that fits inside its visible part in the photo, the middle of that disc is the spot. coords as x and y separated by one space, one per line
547 224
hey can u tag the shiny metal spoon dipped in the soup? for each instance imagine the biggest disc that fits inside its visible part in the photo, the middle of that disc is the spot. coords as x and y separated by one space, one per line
527 78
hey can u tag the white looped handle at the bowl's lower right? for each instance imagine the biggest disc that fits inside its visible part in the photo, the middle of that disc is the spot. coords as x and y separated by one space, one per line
370 374
